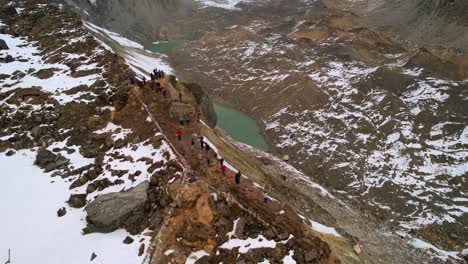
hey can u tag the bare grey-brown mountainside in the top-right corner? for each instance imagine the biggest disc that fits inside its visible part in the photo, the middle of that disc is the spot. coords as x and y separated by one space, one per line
430 22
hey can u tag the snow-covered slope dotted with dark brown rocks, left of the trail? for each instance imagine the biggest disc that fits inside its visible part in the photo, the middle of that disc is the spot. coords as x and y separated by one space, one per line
54 99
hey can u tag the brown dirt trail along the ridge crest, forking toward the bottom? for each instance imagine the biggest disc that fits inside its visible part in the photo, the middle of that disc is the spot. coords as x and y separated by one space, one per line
208 177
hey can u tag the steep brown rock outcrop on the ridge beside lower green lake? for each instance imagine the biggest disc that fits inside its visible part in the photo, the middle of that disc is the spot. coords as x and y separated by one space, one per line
204 101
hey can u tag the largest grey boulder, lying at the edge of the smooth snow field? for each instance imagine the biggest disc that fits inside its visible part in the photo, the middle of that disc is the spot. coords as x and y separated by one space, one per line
109 211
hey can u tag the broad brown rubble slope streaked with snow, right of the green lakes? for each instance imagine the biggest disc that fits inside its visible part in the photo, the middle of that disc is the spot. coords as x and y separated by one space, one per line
379 121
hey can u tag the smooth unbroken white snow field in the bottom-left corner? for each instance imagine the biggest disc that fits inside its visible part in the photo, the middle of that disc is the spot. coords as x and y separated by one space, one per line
33 231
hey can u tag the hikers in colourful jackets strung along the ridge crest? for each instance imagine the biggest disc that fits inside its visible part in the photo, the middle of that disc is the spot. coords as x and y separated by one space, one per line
154 84
